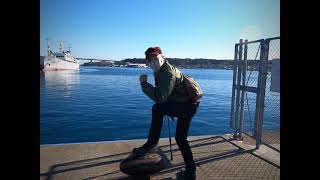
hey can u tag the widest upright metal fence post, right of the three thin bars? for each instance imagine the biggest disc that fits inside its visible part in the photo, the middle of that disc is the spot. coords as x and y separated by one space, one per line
261 91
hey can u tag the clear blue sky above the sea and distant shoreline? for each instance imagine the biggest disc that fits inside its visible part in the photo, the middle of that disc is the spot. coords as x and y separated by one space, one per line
119 29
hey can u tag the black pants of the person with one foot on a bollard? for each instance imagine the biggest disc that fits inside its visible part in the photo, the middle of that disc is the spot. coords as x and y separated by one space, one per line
185 113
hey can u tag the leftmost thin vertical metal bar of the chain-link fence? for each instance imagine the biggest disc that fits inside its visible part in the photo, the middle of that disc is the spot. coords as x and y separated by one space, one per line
235 64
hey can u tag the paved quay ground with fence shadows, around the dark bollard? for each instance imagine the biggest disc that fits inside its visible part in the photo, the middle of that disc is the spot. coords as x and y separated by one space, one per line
217 157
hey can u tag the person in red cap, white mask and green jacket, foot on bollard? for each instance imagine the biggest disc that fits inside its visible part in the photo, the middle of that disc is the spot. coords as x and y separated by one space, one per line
171 98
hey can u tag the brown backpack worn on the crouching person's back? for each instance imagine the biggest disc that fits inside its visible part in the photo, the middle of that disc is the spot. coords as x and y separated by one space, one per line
193 88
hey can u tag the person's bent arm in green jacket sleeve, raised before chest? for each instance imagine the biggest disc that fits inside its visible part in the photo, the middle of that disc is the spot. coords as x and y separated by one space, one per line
160 93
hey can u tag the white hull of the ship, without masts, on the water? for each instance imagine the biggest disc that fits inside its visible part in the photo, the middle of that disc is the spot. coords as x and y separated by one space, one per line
55 64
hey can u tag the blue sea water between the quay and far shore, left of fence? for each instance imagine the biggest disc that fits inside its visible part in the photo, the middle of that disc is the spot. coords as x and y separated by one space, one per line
107 104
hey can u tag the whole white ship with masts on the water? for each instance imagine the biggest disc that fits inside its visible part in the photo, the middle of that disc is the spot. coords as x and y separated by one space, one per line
62 60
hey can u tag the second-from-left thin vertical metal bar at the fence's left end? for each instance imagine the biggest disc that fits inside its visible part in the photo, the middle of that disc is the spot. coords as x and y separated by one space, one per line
238 89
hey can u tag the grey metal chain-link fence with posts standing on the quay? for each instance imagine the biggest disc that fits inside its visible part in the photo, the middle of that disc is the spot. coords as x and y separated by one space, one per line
255 108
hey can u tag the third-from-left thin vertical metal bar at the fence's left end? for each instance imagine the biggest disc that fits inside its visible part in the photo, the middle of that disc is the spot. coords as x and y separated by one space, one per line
244 76
